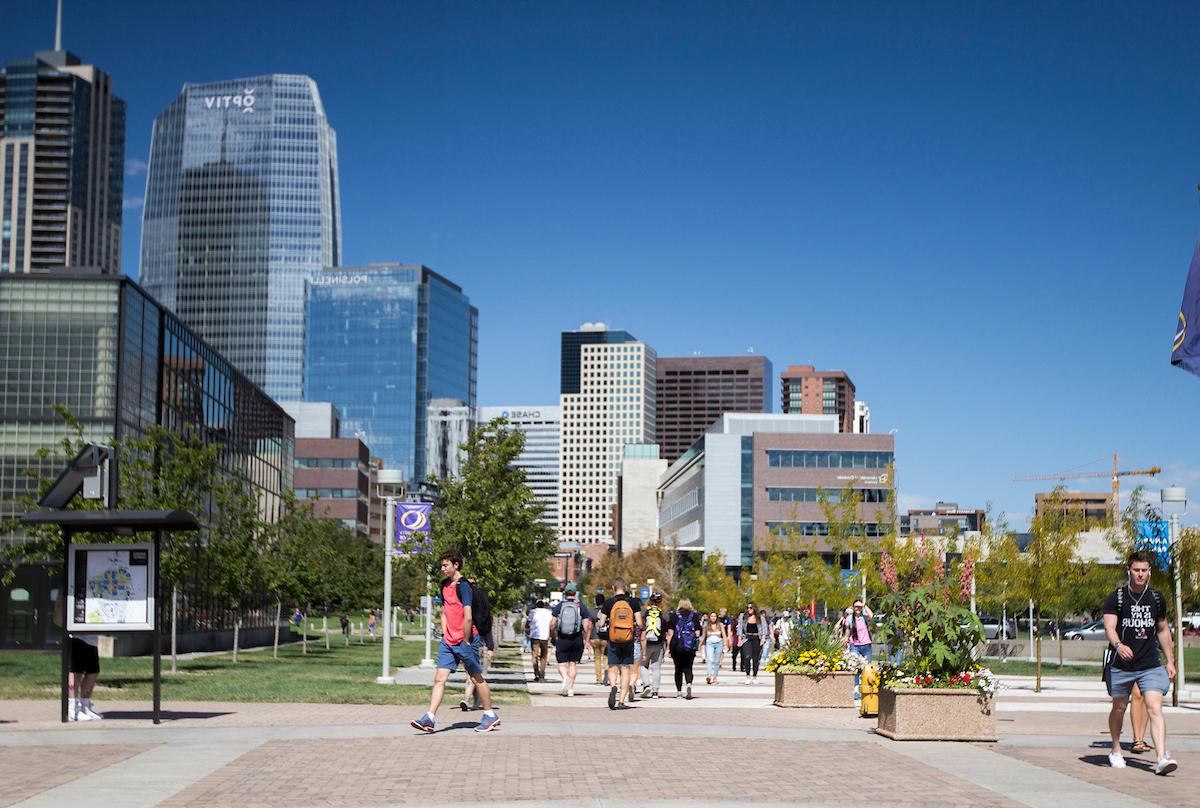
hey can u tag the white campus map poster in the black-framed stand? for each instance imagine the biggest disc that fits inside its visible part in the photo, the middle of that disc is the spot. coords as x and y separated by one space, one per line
112 588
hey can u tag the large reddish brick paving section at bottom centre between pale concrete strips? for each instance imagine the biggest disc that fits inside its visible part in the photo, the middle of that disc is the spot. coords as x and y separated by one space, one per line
440 770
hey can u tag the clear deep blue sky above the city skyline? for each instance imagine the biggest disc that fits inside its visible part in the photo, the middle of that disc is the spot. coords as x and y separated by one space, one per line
983 213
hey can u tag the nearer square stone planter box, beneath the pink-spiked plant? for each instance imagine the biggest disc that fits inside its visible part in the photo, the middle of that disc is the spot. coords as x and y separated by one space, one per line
937 715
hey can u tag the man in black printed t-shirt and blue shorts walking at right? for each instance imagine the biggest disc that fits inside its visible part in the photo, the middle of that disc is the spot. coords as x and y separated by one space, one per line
1136 625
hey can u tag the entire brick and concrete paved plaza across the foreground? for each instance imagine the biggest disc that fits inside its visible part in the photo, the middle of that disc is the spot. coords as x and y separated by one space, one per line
1052 755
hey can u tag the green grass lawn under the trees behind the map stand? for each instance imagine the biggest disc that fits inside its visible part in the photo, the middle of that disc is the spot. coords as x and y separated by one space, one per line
341 675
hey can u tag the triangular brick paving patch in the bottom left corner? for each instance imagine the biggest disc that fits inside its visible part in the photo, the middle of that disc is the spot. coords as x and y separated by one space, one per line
28 771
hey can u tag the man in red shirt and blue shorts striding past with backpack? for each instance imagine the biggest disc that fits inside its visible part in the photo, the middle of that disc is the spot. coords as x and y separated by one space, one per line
460 644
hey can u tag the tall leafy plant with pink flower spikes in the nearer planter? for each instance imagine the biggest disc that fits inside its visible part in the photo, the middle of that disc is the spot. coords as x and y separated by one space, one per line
934 636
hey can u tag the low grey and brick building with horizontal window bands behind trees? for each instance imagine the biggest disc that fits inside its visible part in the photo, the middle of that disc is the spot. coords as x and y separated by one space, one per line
755 478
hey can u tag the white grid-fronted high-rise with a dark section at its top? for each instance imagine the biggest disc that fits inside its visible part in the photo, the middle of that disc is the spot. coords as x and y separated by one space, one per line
613 409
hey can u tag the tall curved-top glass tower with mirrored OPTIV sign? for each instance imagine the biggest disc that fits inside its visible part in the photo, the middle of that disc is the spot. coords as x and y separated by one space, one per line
242 210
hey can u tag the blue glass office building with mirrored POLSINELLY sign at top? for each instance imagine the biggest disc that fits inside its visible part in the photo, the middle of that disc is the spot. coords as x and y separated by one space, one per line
383 343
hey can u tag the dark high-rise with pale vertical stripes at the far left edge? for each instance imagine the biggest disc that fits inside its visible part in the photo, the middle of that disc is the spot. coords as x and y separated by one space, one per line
62 165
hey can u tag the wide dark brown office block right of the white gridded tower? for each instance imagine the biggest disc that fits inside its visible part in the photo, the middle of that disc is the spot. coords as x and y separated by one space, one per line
693 392
